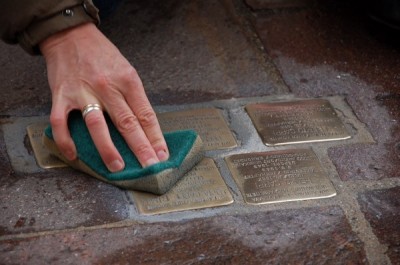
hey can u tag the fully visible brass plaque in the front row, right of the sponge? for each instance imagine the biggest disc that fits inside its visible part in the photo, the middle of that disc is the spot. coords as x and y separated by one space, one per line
280 176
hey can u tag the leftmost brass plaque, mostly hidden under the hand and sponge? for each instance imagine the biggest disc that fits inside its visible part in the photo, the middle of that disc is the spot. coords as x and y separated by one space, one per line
42 155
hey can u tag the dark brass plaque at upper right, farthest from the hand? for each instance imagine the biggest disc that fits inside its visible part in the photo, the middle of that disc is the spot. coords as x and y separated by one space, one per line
293 122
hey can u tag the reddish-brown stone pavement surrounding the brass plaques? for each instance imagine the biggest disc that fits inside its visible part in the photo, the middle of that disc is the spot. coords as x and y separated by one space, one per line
220 54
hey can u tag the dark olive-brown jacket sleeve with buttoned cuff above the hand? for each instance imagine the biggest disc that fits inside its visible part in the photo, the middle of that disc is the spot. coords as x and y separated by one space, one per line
28 22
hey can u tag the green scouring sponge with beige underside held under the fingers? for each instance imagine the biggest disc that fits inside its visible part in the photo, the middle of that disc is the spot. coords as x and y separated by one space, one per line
185 148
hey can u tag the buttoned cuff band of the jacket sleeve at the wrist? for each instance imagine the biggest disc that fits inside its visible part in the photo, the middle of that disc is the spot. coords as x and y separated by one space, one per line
65 19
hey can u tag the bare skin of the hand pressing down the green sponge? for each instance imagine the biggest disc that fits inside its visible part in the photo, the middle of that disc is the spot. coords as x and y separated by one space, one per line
84 67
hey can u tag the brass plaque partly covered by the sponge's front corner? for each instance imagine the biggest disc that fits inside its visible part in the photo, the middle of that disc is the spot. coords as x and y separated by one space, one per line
202 187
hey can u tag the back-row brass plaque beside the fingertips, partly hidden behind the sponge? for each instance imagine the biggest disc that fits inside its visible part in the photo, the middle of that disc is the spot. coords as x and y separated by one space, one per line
209 124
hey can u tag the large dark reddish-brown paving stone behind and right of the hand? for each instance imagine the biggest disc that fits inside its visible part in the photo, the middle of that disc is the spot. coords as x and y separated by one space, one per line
190 51
